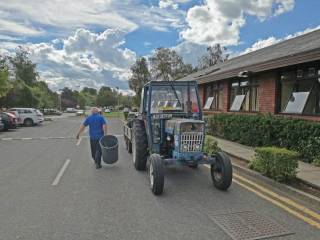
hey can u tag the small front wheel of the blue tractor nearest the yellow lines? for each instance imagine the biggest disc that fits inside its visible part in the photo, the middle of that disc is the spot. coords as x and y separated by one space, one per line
221 172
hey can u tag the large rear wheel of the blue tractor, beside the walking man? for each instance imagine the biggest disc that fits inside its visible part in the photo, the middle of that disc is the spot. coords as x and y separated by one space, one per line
139 145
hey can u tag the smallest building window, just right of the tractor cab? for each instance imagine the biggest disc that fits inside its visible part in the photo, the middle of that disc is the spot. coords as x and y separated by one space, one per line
213 97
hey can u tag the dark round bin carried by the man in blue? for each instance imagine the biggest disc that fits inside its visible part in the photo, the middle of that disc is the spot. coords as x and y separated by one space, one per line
109 148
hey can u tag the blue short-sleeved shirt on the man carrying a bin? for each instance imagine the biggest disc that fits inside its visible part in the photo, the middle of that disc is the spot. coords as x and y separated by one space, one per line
95 123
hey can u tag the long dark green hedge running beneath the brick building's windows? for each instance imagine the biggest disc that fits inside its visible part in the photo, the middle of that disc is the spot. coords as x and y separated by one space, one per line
267 130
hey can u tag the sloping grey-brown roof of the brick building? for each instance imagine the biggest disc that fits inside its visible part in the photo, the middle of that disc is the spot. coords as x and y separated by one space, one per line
296 50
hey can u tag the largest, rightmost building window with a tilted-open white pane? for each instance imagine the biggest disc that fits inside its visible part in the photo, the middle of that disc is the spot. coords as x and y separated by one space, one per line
300 91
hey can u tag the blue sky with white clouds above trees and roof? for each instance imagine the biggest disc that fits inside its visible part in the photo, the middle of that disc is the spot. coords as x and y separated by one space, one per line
78 43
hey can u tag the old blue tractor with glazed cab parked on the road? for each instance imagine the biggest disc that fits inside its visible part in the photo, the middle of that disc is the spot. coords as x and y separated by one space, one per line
169 130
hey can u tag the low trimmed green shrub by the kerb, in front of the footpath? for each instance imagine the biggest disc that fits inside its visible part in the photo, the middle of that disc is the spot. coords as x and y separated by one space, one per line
279 164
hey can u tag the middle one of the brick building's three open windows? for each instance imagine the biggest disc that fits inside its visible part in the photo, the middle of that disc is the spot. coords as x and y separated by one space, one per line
244 96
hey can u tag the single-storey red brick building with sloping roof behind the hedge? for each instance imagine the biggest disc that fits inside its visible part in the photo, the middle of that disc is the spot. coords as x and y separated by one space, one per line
282 79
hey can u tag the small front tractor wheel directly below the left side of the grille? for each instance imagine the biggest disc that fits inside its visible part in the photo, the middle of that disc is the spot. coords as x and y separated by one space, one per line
156 173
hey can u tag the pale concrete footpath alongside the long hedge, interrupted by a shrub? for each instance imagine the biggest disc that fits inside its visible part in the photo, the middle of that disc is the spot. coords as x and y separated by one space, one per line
306 172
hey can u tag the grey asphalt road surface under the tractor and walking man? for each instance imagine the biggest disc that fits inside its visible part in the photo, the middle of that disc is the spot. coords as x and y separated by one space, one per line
113 202
